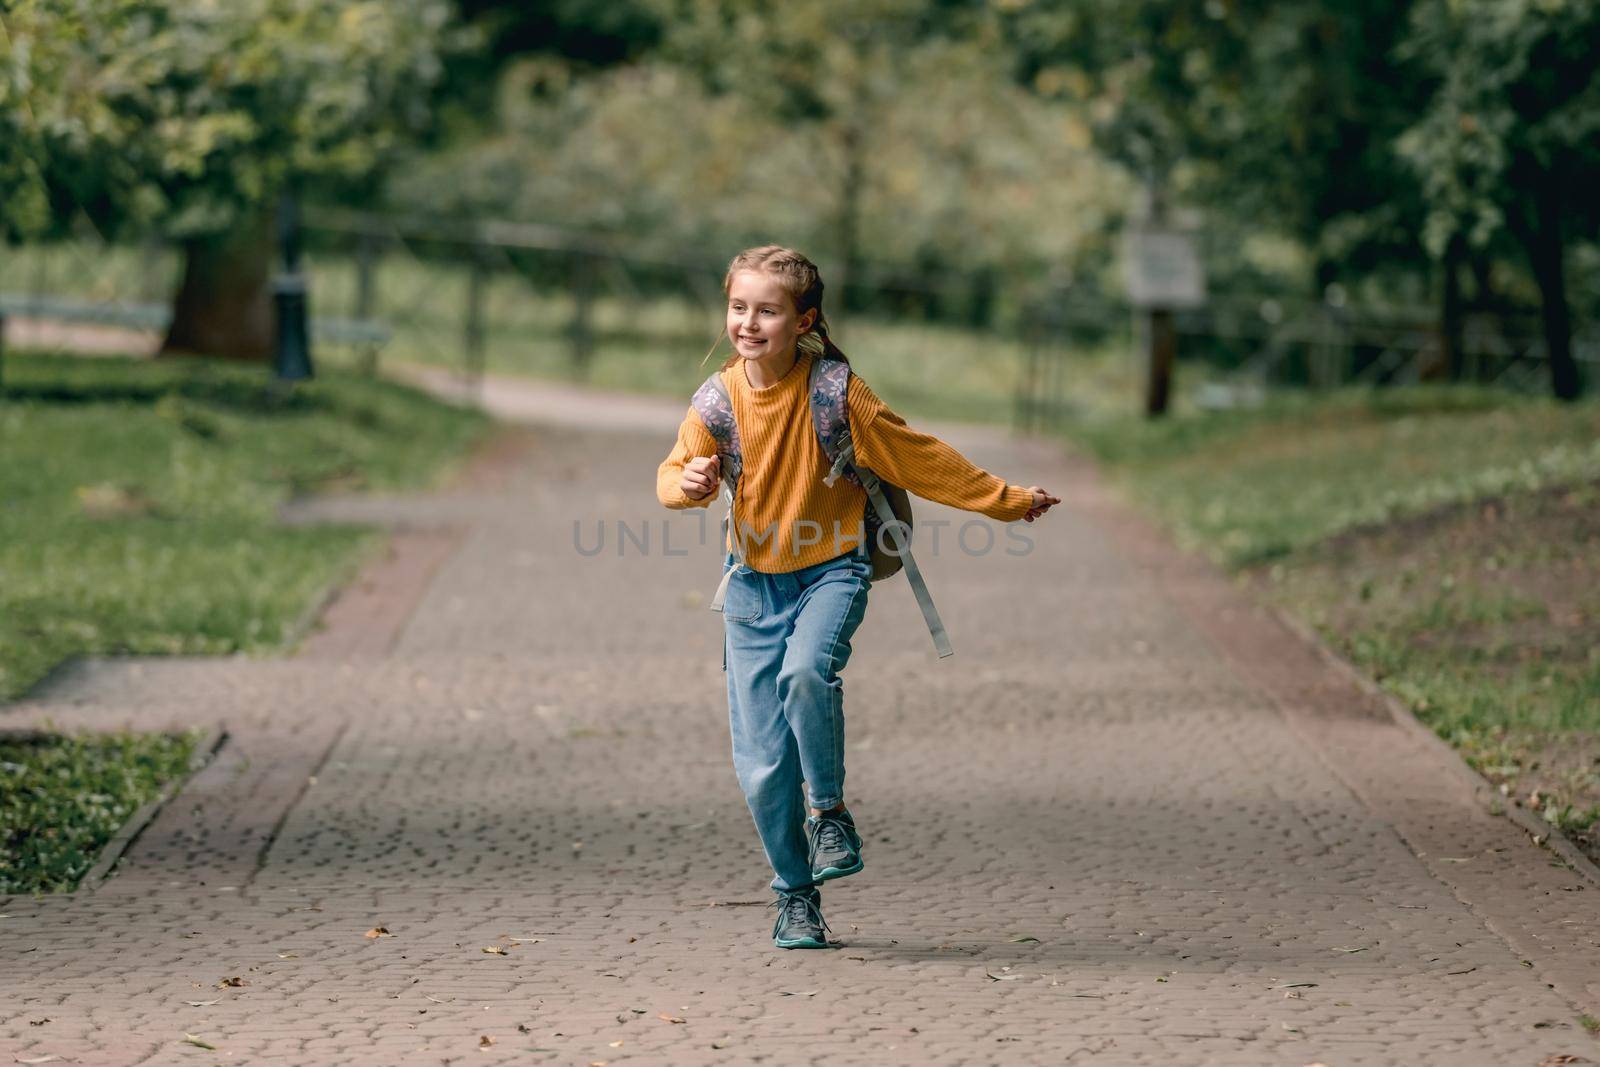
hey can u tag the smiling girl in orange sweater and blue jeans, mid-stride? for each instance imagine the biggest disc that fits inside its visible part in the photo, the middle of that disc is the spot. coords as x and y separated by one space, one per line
794 604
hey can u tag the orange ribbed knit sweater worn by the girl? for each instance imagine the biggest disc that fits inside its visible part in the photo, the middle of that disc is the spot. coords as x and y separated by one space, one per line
785 465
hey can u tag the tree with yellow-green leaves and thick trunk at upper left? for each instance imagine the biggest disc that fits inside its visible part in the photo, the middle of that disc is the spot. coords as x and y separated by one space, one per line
198 116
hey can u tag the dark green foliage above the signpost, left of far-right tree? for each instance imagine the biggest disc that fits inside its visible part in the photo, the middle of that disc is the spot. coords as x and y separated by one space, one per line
1271 116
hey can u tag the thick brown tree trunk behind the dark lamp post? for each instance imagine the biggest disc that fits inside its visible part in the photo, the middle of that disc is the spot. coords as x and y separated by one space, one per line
225 303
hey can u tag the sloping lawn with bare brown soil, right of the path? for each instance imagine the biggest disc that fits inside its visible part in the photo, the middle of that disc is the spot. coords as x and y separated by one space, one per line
1447 541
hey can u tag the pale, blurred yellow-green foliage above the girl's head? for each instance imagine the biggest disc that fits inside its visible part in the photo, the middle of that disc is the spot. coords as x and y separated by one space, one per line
852 130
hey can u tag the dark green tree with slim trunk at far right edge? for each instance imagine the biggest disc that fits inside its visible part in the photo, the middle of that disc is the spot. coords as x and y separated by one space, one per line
1511 140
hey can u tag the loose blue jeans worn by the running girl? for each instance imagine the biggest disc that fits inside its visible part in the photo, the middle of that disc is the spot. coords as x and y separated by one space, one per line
788 637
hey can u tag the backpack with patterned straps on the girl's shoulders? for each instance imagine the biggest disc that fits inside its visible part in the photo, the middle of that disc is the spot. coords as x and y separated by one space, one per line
889 506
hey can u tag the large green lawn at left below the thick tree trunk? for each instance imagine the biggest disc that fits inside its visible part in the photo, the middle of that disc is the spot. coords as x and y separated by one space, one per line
140 502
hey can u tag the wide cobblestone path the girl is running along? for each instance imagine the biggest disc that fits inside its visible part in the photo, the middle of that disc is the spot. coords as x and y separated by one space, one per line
1129 823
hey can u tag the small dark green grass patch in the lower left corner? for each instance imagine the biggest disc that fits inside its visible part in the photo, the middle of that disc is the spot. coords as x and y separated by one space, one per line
63 799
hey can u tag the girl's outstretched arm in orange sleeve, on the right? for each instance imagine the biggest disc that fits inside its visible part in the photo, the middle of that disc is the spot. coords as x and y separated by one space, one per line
927 466
